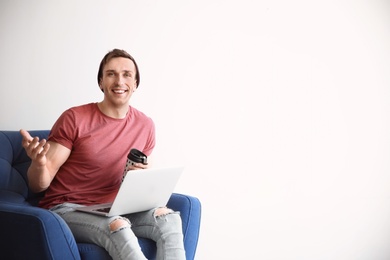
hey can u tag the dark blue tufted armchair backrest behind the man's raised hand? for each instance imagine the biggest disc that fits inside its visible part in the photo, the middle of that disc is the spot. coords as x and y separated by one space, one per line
14 164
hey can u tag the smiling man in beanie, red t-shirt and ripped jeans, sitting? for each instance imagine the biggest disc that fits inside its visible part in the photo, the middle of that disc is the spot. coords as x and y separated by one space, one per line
83 161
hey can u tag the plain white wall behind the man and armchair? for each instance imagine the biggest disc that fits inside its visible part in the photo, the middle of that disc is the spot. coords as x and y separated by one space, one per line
278 109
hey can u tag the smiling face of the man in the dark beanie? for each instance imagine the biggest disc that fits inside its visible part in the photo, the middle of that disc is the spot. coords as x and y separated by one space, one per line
118 81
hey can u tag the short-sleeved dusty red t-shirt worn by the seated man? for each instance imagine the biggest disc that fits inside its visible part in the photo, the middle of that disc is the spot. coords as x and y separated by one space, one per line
99 146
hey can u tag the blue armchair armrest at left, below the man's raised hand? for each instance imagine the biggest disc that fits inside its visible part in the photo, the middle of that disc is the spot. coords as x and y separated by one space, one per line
29 232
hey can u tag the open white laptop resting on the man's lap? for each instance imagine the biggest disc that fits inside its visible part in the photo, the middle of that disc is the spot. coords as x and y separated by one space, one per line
141 190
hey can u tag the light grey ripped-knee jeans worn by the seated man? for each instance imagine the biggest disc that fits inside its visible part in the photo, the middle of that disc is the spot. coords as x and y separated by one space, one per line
122 243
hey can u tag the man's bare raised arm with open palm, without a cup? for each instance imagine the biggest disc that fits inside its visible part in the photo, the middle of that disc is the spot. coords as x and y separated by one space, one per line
46 159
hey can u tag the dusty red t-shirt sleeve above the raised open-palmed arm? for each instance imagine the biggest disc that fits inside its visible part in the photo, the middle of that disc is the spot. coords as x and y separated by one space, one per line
63 130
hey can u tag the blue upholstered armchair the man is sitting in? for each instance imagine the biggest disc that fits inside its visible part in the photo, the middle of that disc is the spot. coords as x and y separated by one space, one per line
30 232
